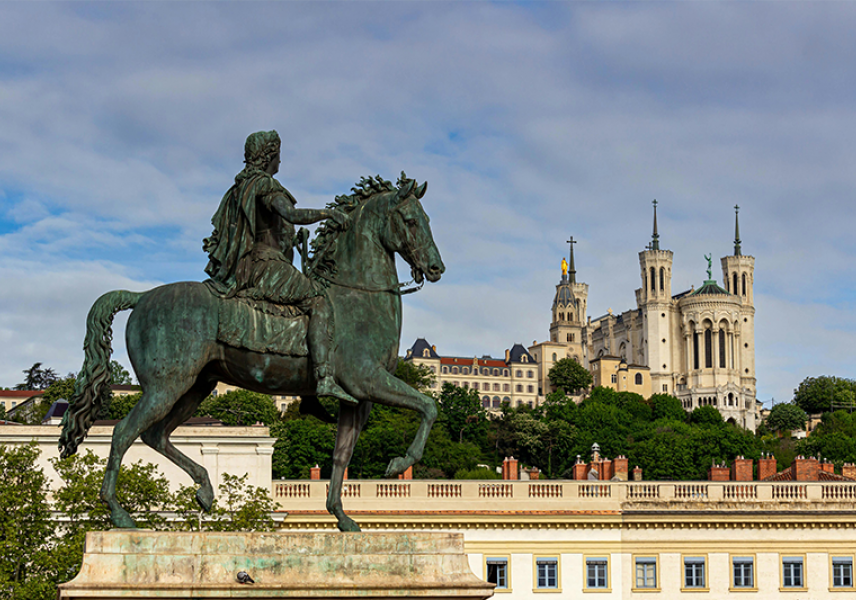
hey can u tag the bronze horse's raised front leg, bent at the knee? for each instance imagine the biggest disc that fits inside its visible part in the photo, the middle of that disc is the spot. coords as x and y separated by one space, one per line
389 390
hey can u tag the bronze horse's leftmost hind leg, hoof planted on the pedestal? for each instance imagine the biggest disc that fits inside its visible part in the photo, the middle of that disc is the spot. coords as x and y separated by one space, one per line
154 405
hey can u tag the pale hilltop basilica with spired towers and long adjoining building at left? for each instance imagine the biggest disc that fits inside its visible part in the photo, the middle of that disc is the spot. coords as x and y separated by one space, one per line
696 344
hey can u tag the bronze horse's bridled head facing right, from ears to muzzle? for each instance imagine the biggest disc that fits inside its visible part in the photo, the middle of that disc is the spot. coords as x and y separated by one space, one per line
408 232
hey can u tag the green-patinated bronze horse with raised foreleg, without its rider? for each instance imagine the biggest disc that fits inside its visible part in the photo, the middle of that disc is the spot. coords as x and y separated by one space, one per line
172 341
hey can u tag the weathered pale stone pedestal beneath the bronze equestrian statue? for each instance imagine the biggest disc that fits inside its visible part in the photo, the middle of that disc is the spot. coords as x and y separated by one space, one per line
170 565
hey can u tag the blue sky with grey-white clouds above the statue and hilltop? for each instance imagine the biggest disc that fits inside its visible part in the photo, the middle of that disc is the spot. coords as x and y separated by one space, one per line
123 124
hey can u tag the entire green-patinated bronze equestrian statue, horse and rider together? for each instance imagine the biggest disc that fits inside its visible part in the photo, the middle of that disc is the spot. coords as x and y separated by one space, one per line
261 324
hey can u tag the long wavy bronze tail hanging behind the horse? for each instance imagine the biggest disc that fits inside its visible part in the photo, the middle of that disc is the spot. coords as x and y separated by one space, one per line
92 387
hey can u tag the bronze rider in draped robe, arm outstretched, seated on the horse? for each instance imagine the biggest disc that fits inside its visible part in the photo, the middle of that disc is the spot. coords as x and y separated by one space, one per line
252 248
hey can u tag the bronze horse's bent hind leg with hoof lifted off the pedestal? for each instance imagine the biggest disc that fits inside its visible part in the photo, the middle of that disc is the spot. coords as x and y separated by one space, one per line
157 437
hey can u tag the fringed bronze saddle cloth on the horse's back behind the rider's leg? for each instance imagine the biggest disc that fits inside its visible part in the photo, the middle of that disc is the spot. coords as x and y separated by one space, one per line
262 327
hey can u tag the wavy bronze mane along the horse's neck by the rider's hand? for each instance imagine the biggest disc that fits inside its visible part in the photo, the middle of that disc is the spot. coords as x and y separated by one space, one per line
323 245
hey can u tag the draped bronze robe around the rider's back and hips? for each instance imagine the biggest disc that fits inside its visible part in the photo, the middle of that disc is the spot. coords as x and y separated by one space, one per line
251 250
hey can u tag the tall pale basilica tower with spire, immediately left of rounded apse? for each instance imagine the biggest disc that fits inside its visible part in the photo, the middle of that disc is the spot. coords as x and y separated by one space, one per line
655 303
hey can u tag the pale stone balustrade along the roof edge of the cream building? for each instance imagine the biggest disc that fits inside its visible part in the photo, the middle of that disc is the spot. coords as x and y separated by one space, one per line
562 495
